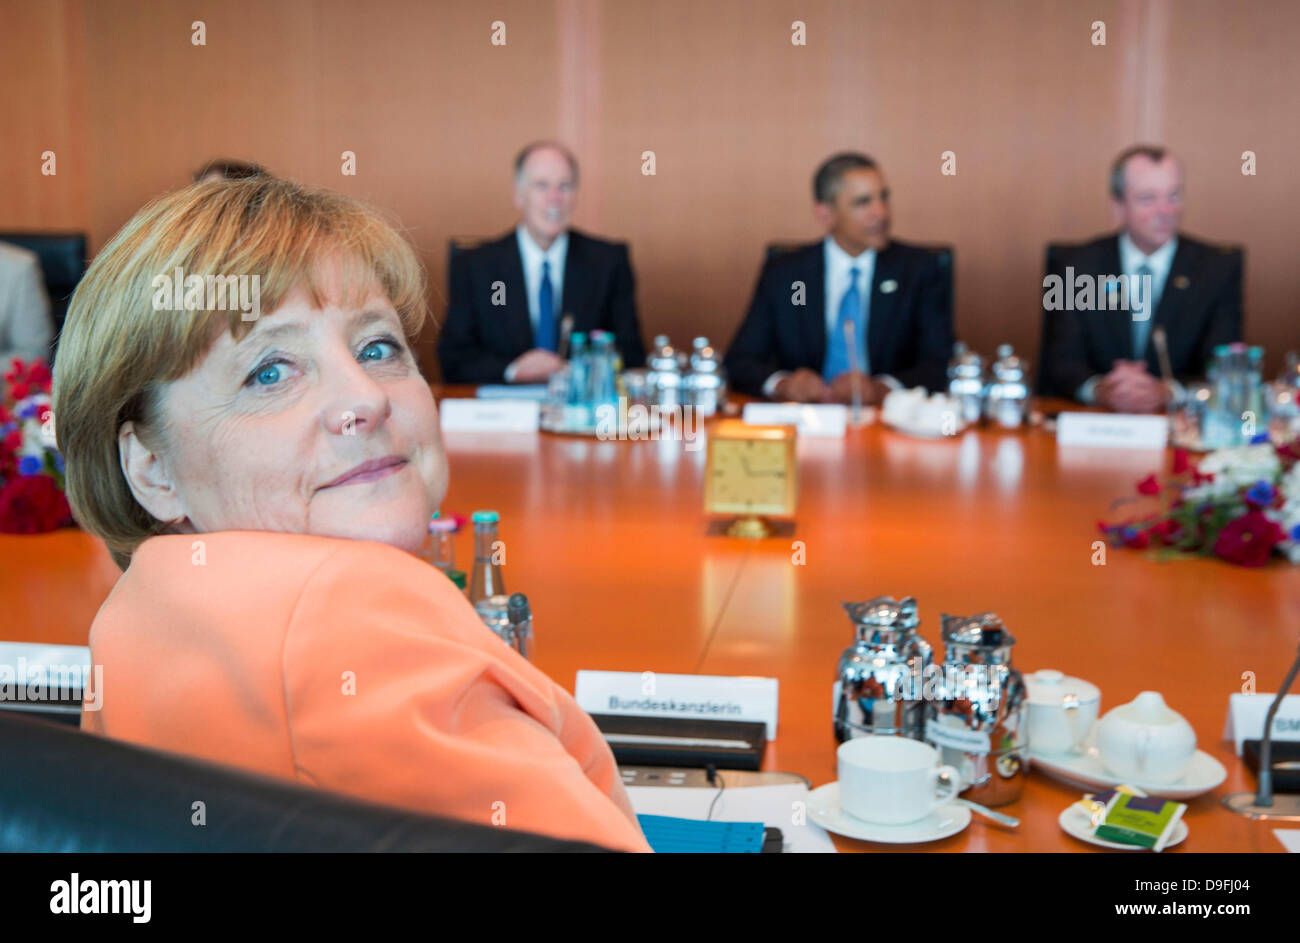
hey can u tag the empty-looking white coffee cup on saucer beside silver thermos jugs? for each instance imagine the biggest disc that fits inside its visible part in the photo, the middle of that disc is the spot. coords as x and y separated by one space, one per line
892 780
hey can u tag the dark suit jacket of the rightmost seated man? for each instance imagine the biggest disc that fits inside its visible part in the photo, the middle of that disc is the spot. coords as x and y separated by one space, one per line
1199 309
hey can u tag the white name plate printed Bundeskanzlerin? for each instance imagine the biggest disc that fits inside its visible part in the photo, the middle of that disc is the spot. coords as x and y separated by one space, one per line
649 694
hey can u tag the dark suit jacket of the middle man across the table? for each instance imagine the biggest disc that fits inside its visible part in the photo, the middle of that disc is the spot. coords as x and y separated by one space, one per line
909 328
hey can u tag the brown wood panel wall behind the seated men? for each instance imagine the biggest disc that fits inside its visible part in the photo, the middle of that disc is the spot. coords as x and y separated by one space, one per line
736 115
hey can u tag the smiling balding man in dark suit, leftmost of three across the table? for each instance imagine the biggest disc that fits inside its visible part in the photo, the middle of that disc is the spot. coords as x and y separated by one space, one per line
509 297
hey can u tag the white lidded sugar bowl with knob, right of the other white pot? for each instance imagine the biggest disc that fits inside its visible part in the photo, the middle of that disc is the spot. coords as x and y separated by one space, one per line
1146 742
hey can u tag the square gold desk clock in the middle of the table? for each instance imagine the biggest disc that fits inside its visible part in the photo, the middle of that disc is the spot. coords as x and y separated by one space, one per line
751 474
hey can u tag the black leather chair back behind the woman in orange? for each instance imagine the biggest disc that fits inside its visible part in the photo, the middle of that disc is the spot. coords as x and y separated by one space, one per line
67 791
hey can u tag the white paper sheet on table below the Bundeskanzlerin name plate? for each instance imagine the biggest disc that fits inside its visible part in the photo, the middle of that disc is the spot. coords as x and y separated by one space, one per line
777 807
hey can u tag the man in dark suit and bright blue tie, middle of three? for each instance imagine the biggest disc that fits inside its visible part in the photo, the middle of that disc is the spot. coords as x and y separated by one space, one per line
795 343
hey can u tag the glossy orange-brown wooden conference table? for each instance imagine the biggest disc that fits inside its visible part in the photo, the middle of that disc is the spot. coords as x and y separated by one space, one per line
612 546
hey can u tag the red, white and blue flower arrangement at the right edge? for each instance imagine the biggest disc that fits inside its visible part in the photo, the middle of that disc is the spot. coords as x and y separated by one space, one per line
1240 505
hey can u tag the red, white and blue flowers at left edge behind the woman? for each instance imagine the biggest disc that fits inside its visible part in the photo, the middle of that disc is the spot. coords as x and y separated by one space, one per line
32 470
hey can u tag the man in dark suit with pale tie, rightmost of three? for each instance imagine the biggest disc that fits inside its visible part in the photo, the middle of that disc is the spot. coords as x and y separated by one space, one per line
1104 354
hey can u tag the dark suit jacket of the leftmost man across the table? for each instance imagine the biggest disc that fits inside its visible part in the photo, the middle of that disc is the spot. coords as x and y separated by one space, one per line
480 340
